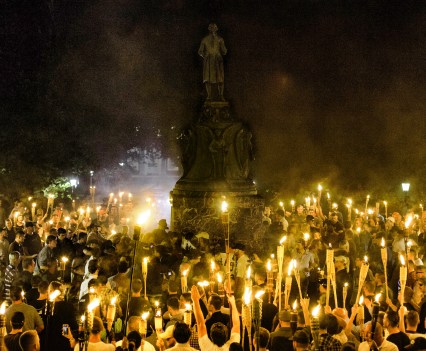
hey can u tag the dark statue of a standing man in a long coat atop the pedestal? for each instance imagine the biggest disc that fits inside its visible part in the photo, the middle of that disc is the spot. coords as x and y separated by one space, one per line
211 49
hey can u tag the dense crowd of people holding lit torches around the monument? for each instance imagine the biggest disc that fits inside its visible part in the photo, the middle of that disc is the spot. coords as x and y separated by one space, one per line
53 265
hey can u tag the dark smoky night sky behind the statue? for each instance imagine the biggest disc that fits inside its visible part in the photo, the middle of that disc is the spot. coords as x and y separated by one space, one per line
334 91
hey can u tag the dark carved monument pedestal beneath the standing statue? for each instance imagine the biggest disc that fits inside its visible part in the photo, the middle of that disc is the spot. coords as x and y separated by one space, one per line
216 160
